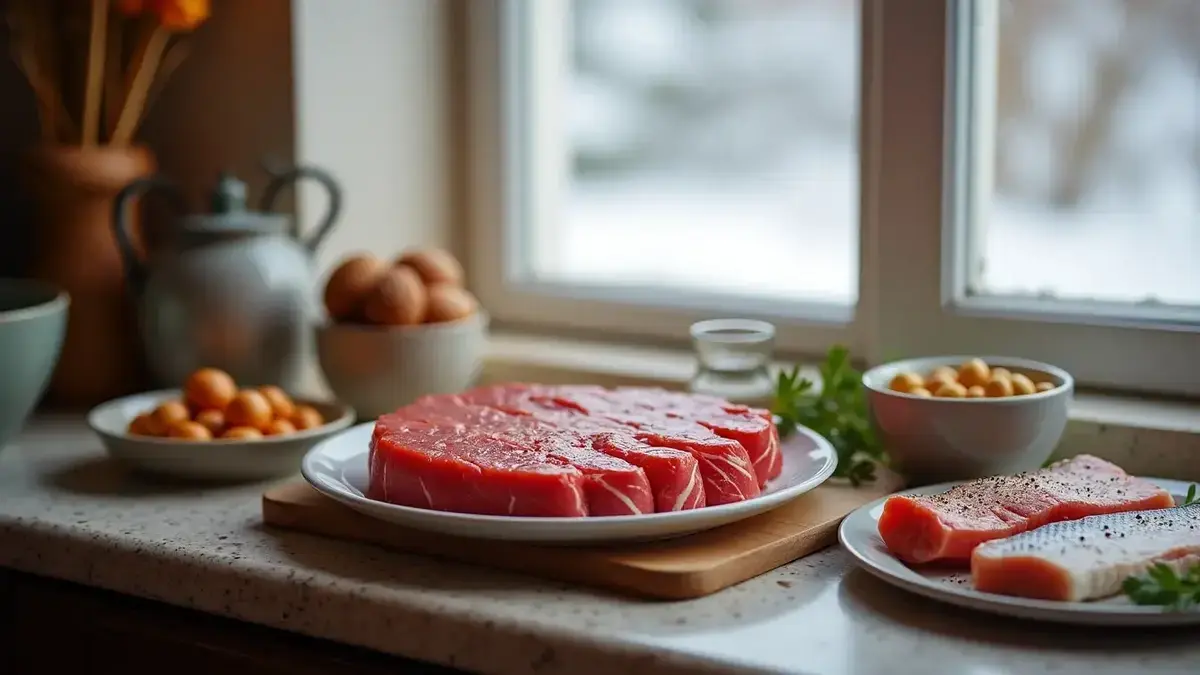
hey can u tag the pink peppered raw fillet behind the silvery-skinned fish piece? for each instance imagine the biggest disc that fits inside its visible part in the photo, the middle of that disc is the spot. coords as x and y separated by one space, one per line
949 527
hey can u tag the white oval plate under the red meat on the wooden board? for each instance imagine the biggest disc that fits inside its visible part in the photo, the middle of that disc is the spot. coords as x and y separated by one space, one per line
338 468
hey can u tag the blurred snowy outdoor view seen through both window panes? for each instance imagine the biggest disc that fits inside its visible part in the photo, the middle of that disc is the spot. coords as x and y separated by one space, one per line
743 178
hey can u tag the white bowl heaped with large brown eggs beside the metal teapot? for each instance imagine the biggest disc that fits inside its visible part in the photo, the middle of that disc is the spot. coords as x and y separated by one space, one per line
400 330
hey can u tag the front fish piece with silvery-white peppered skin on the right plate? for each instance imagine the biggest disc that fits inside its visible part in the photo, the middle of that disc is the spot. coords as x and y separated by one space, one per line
1088 559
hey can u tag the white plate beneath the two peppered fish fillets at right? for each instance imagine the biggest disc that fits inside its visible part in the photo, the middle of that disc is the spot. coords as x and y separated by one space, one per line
860 535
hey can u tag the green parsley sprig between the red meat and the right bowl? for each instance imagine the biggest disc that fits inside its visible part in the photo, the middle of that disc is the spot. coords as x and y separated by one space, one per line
838 413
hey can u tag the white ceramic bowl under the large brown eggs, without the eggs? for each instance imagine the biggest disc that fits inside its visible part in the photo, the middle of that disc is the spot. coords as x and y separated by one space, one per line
380 369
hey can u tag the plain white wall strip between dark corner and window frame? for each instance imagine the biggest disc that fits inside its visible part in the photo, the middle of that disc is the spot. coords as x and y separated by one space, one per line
371 106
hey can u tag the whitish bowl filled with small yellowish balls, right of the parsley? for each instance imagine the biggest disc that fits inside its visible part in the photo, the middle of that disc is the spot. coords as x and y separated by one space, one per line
956 419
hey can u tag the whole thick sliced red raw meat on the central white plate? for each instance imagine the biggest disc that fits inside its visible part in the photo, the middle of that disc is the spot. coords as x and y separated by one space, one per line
613 452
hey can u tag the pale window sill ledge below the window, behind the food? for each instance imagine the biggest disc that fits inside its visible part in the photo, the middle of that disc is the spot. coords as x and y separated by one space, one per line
1147 437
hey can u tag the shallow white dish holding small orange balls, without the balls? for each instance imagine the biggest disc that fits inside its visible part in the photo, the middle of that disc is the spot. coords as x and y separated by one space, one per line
209 461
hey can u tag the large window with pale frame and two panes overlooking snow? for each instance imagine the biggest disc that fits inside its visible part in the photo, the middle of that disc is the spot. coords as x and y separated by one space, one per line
929 177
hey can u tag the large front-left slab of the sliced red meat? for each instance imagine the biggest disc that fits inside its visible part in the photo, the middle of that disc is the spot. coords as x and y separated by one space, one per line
447 469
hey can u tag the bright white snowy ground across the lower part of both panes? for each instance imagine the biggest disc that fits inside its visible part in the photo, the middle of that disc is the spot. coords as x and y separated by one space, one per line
797 237
